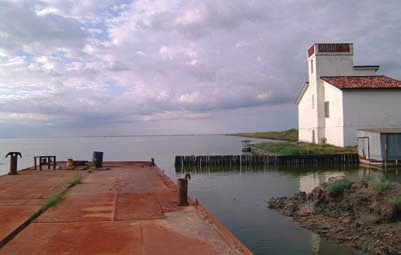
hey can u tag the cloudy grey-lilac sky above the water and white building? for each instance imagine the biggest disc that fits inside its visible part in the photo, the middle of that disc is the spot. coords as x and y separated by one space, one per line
104 67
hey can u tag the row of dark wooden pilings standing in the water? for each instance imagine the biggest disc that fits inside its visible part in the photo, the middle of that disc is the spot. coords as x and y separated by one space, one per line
245 160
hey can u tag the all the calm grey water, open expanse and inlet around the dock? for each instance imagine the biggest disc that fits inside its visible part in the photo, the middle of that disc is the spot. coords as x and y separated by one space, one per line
237 197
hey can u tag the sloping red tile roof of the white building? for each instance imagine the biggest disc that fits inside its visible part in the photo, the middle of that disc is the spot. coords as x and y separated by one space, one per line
363 82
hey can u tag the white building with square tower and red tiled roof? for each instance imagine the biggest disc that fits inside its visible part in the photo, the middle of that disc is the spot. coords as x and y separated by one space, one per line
341 98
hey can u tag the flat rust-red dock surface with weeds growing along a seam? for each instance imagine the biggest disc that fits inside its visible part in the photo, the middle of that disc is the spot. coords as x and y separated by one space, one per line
121 208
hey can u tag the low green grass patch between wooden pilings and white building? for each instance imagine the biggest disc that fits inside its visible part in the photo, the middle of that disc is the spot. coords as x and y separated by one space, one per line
298 148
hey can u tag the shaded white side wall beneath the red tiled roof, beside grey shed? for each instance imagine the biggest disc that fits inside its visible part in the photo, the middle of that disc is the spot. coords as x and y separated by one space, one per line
370 109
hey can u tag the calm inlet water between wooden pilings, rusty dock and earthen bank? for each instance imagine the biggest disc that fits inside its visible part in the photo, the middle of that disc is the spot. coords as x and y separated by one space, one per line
238 197
